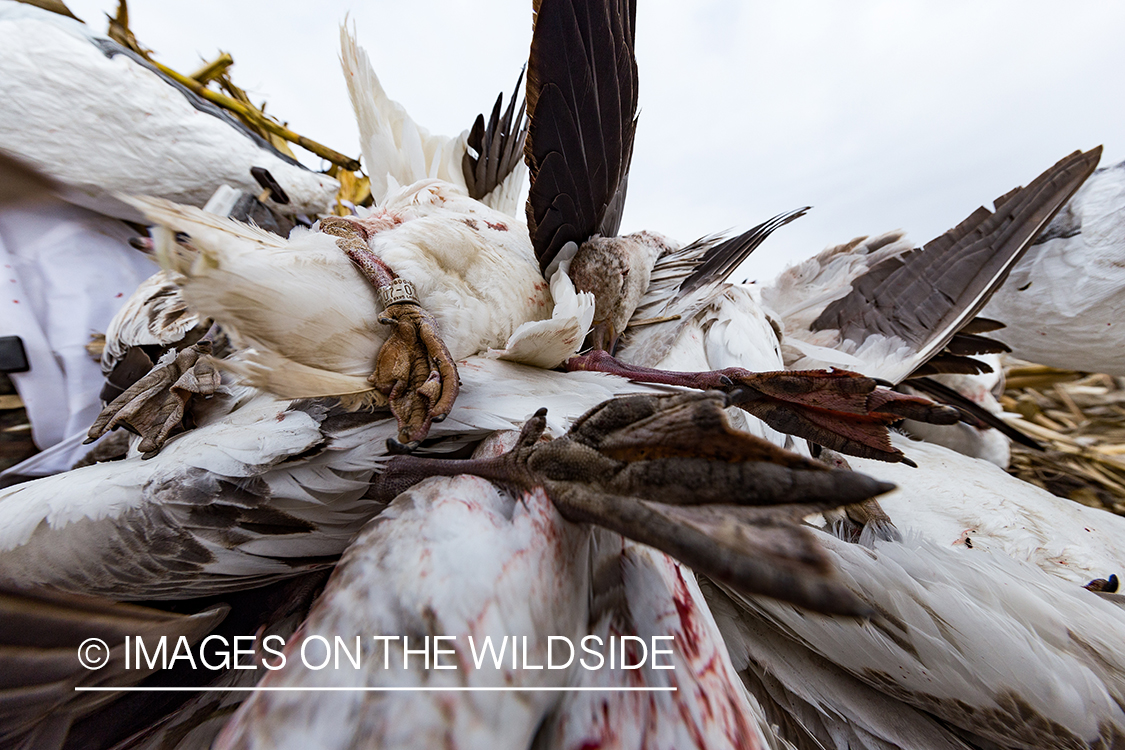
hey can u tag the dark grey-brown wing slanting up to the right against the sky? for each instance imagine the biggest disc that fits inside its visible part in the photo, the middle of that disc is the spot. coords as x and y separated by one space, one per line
925 295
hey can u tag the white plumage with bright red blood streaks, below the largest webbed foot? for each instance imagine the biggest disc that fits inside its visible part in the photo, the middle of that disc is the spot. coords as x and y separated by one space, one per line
655 602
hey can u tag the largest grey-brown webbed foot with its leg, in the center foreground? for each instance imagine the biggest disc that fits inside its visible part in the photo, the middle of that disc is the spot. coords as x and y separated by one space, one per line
671 473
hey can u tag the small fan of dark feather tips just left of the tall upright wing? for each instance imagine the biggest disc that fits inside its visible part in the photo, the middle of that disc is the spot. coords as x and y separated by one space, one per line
499 146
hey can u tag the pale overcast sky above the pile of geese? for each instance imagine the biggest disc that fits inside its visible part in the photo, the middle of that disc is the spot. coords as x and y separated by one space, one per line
881 115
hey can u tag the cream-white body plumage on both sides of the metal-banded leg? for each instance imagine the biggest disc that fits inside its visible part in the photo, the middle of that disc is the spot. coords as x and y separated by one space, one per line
472 267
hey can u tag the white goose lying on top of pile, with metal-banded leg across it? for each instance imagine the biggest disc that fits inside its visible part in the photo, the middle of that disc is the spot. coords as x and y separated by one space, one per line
458 268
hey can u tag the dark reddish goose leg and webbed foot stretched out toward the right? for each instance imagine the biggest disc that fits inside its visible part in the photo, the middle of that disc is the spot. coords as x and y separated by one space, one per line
842 411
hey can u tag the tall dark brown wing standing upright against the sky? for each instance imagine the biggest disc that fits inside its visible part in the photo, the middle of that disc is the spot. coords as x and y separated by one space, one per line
582 107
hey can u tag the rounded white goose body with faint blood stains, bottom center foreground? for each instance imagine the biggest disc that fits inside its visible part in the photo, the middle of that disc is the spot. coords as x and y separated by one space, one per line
452 557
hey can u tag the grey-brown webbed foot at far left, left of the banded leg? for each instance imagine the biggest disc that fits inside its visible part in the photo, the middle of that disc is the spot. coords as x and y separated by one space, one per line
155 406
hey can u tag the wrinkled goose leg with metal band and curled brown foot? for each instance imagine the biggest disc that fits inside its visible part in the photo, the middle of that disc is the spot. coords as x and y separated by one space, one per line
413 369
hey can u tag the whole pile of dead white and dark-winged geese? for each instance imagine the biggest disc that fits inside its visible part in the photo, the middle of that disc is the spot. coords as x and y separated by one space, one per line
390 459
